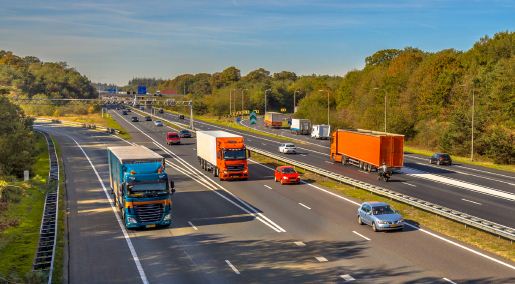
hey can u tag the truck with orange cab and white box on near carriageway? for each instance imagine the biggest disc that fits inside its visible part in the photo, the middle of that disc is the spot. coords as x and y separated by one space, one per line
222 153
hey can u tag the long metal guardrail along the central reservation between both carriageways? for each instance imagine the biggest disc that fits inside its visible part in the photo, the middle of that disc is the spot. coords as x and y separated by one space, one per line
482 224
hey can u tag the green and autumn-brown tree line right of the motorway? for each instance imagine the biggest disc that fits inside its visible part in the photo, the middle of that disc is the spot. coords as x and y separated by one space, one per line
429 95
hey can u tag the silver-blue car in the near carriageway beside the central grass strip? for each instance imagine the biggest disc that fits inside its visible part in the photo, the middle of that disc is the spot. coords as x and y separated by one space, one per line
380 216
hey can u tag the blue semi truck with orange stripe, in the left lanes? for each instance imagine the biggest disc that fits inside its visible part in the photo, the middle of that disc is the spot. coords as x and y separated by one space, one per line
141 187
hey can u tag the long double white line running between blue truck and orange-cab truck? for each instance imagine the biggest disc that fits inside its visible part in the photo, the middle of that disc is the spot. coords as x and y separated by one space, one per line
201 178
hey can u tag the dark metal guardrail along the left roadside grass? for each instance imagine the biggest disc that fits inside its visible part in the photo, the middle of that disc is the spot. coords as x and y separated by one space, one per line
44 259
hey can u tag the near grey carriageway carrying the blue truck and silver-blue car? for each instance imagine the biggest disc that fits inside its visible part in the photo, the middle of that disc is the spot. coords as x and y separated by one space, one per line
231 232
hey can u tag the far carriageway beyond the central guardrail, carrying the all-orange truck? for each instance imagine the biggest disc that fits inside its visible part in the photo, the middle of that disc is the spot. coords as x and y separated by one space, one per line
478 191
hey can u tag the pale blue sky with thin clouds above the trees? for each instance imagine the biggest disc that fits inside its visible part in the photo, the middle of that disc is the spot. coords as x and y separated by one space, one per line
115 41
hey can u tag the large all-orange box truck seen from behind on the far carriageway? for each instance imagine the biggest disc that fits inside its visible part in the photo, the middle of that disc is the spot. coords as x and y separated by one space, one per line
367 149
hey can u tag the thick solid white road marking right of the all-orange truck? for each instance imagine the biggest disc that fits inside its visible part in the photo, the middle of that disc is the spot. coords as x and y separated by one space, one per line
458 183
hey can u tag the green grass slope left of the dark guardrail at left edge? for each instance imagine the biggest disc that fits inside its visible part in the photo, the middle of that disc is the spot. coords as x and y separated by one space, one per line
18 243
